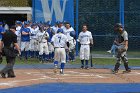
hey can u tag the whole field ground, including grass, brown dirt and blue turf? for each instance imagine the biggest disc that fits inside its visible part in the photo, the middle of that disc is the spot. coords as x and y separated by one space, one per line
35 77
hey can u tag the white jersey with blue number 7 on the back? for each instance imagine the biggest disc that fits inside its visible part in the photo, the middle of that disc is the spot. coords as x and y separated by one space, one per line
59 40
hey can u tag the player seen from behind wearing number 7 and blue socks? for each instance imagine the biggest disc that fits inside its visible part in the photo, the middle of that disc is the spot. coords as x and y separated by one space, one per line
59 41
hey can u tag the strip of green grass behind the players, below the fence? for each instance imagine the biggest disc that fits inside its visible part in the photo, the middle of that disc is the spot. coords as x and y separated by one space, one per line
96 61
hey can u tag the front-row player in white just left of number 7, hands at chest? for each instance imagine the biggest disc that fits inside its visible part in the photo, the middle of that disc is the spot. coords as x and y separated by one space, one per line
42 37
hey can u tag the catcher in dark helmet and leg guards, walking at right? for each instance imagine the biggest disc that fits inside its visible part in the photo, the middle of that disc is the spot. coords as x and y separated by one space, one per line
121 49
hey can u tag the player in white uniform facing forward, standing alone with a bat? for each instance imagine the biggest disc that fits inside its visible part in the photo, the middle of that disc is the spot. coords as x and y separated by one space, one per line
85 39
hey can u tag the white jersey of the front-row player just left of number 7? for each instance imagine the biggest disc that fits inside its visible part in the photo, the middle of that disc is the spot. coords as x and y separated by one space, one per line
41 36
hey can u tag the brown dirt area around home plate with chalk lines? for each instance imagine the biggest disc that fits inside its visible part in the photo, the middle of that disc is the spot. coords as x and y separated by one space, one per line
38 76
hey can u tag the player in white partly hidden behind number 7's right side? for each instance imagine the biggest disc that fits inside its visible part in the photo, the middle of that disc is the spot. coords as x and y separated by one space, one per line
68 29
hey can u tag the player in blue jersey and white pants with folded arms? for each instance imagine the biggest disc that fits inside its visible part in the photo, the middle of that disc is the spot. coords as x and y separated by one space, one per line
25 40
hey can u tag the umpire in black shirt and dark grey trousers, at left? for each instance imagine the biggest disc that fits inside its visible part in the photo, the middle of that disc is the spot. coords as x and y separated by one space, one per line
10 51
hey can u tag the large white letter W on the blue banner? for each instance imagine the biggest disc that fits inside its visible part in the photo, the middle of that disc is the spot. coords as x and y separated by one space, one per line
47 12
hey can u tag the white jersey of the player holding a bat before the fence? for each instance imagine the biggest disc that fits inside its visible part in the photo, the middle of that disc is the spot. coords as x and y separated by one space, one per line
85 37
